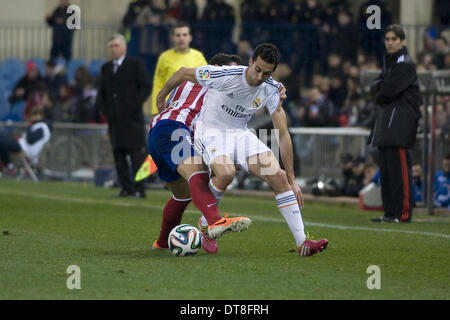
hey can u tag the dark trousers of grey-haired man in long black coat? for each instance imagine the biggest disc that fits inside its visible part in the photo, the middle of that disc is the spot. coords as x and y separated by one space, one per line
126 174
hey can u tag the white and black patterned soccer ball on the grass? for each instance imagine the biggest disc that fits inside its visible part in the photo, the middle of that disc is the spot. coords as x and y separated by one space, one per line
185 240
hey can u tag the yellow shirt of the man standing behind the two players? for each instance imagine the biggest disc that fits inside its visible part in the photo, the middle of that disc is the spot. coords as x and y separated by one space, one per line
168 63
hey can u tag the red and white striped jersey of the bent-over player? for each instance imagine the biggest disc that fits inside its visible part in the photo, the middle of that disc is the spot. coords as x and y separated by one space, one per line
184 104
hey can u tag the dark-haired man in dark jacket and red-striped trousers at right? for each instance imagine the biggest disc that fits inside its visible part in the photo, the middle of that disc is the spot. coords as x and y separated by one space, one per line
397 97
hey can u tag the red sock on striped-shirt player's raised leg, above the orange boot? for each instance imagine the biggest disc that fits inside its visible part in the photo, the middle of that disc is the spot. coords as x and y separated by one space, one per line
202 197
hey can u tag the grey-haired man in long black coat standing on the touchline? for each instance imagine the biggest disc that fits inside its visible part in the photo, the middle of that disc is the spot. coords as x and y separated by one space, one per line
124 86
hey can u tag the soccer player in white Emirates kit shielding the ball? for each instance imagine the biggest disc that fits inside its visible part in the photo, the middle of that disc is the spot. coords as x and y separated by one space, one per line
234 95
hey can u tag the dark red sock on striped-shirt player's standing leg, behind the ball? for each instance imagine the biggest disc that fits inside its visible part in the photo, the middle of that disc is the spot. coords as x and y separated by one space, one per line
172 214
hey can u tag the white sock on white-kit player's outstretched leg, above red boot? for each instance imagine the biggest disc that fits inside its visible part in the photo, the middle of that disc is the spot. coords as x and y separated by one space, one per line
288 206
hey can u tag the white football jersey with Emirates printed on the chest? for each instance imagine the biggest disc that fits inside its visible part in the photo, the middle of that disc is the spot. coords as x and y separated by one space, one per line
230 101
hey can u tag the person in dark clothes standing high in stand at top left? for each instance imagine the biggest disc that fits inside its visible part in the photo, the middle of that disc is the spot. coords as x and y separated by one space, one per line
62 36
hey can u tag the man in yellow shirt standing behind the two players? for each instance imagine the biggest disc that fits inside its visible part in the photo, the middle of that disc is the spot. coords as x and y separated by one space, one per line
173 59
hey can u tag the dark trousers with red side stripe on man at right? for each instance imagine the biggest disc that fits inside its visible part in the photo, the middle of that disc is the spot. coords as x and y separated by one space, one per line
396 182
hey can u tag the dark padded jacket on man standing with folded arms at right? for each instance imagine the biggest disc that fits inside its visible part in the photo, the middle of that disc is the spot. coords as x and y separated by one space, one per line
397 97
